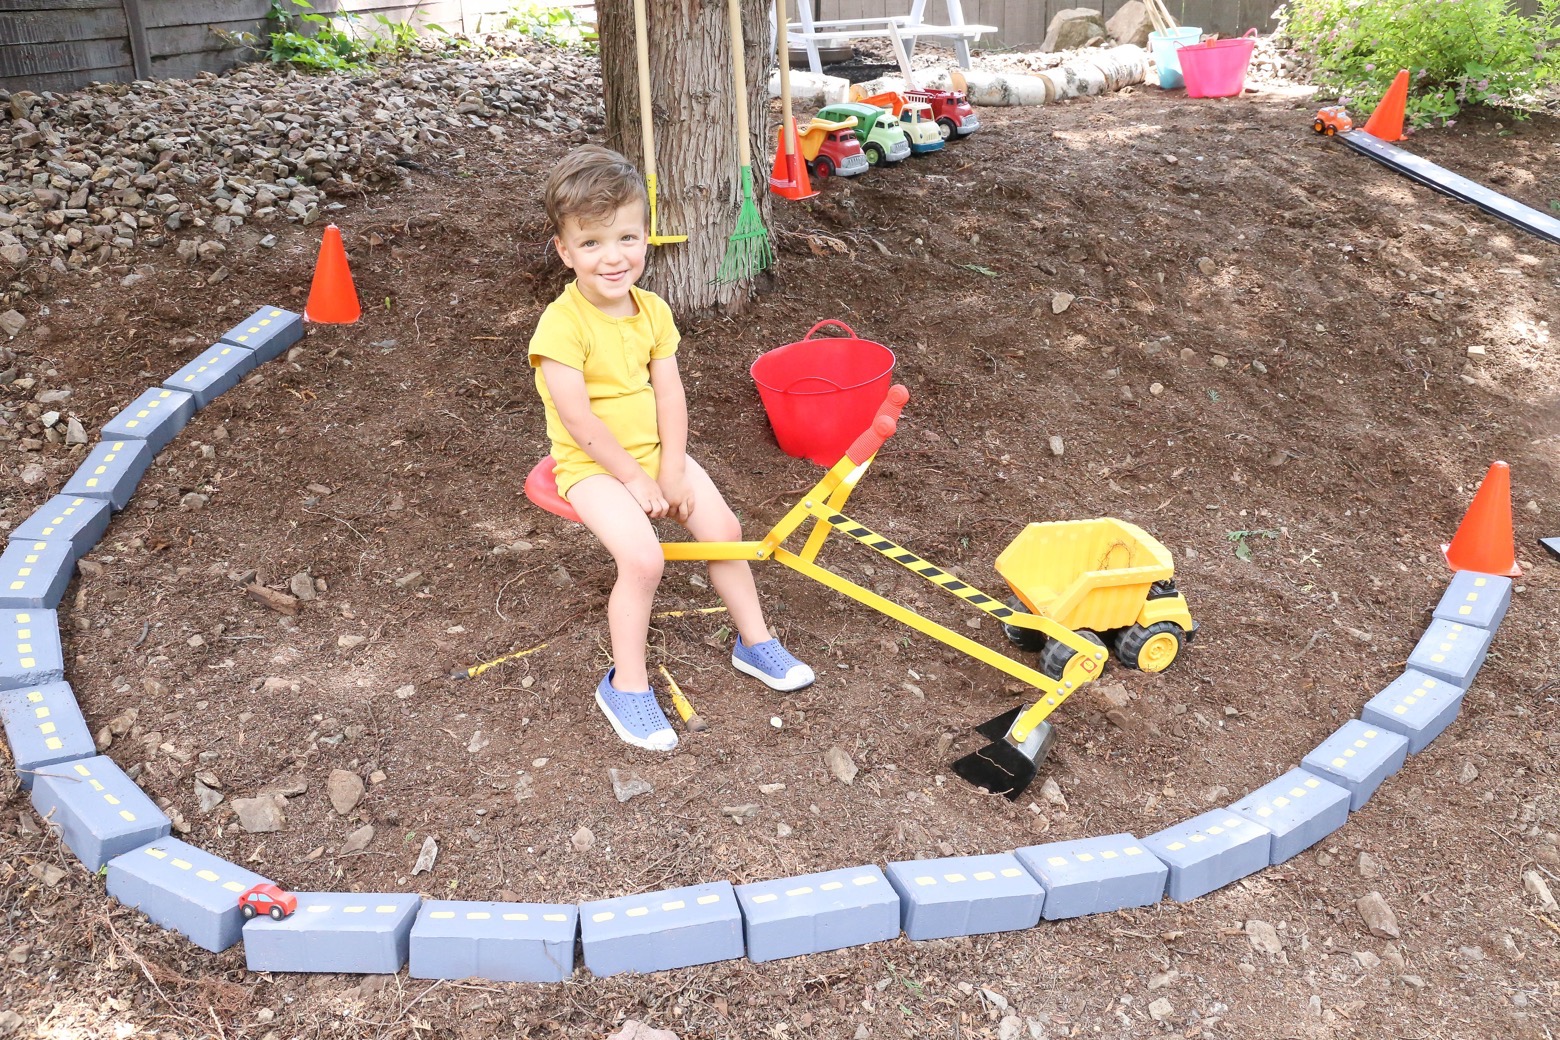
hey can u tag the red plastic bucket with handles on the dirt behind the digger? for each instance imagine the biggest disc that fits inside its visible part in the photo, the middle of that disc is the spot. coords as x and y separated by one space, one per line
821 394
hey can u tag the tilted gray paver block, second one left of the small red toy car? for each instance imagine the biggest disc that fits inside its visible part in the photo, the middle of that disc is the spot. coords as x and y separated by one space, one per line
99 810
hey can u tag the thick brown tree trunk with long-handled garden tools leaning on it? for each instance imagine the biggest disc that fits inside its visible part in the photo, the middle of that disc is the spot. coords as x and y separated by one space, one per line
698 169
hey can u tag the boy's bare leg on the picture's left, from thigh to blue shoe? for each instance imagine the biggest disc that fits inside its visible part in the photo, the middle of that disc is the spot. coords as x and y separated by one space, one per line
617 520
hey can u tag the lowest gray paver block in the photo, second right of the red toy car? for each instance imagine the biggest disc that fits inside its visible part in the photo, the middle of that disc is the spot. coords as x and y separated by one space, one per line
505 943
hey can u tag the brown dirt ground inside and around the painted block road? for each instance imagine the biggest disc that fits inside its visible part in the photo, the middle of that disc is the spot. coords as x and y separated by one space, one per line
1269 334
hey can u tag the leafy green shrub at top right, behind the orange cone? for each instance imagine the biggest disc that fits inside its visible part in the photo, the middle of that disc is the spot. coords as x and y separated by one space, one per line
1458 52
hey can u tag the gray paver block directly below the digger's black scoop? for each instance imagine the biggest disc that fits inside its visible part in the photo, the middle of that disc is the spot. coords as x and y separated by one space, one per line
965 896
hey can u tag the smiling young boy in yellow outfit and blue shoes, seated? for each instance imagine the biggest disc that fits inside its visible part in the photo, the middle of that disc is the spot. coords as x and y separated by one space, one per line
606 359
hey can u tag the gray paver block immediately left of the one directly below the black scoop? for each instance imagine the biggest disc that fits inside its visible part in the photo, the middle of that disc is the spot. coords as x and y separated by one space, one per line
834 910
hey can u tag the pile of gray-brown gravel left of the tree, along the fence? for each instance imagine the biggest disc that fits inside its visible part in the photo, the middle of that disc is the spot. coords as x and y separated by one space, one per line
91 177
